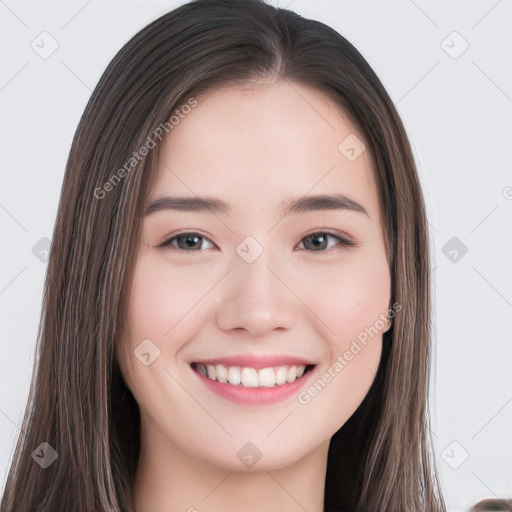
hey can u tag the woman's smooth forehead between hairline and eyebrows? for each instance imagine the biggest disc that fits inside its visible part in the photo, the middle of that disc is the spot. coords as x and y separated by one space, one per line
264 144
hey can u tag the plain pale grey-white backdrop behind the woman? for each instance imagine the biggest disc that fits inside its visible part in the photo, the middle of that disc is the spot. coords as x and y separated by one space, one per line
447 67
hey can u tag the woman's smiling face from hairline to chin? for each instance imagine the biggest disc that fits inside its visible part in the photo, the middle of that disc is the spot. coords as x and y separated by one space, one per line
257 290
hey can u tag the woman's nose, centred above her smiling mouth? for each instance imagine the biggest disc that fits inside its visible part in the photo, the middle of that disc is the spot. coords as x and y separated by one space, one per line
257 299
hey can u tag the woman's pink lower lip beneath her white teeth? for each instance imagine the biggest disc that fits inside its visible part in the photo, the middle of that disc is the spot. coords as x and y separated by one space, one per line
245 395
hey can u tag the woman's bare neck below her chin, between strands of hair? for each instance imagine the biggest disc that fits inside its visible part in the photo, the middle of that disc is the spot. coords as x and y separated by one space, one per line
169 479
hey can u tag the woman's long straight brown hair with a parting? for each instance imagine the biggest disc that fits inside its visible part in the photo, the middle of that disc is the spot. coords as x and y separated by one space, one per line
380 459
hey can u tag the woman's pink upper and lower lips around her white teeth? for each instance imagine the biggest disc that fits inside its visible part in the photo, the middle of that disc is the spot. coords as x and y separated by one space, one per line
260 395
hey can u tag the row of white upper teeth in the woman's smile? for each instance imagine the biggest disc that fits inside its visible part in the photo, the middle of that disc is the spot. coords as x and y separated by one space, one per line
250 377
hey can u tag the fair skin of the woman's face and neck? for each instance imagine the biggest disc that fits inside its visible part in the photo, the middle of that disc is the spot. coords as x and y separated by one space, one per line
253 148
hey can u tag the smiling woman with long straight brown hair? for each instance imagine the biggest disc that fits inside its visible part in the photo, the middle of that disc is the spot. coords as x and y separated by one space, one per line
251 372
